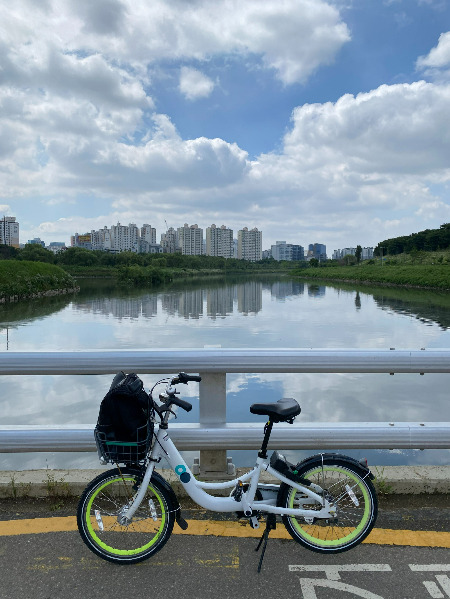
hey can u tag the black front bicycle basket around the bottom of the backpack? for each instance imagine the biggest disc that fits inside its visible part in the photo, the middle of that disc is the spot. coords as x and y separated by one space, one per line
119 451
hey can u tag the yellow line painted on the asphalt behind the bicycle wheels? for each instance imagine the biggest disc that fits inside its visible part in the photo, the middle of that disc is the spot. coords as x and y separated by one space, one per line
226 528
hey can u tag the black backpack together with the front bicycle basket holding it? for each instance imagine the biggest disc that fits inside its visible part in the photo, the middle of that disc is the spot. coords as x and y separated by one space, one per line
124 427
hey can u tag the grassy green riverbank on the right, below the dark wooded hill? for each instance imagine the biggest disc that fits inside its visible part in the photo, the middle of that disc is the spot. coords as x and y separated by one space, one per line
420 276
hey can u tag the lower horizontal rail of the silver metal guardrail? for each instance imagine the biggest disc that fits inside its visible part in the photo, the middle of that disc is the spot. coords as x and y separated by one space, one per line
344 435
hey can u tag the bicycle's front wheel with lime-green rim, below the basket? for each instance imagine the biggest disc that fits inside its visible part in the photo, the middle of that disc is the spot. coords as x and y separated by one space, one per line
102 502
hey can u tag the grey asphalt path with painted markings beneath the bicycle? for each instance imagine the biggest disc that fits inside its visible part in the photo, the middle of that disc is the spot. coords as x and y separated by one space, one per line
58 564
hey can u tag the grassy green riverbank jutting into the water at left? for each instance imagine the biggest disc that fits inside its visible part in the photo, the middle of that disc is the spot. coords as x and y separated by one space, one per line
23 280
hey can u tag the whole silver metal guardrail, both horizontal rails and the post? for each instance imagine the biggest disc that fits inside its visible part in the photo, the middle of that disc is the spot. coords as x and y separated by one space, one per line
212 433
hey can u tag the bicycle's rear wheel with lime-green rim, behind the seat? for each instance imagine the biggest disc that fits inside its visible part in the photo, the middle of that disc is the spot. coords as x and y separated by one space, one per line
352 493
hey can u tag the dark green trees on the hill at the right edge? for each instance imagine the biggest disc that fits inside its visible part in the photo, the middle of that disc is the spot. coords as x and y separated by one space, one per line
429 240
